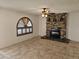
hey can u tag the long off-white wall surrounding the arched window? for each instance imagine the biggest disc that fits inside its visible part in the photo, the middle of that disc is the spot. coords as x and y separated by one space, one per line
8 21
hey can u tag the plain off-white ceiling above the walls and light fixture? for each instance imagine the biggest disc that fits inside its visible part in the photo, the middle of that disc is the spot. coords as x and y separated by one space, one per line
35 6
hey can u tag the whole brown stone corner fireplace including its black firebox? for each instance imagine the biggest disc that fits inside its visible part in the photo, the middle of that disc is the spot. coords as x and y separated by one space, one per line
56 25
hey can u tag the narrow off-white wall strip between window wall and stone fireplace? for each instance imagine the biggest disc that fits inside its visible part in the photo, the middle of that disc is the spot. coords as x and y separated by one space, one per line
42 26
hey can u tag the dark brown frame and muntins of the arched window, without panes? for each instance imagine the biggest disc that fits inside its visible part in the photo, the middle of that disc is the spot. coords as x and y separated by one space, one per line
25 27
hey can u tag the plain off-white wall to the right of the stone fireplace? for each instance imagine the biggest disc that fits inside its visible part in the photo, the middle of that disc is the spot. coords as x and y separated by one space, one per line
73 26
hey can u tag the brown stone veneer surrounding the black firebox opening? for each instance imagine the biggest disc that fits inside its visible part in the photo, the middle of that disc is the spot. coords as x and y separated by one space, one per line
56 20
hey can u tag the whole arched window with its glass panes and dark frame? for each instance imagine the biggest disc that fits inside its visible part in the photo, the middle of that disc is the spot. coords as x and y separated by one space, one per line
24 26
